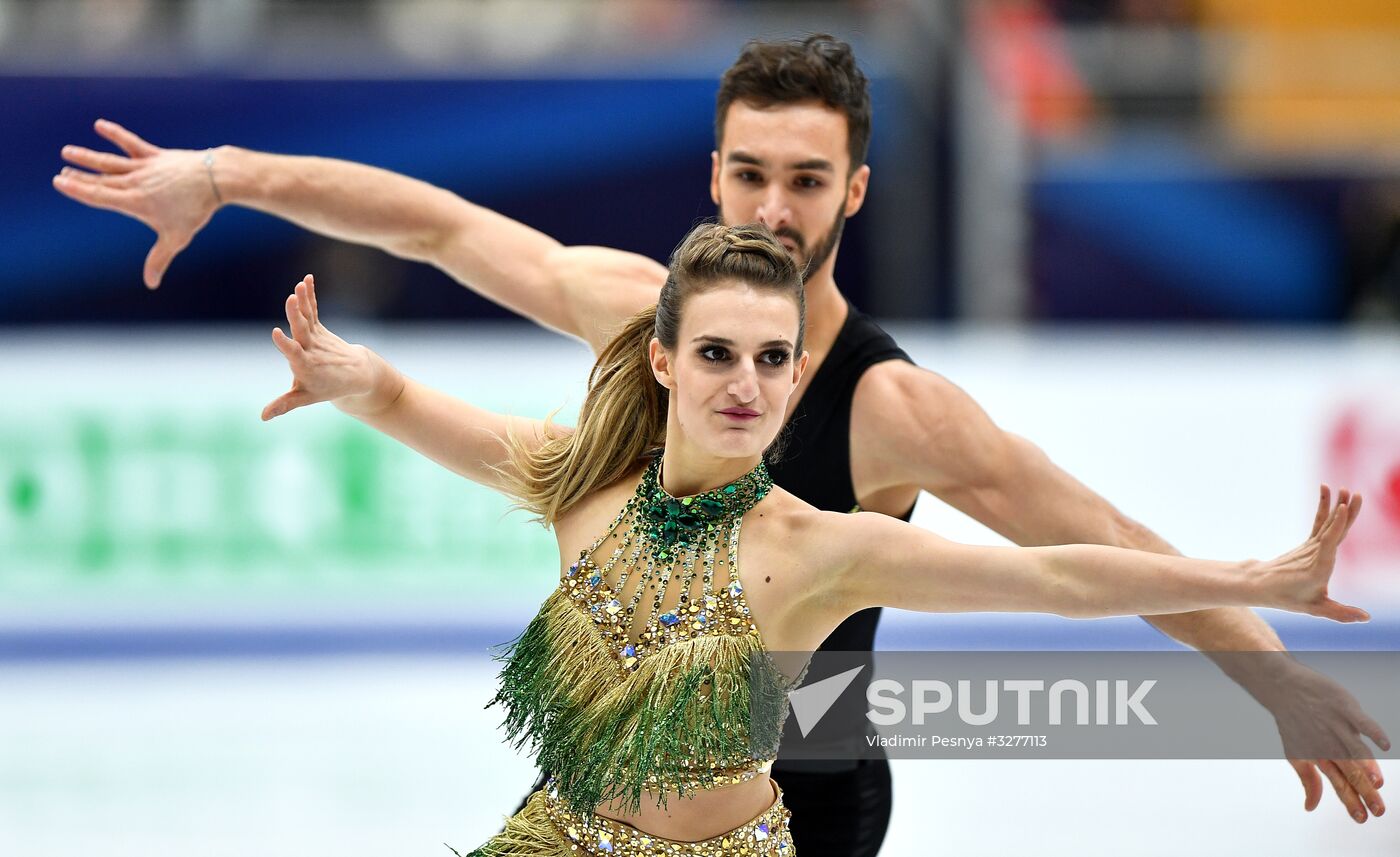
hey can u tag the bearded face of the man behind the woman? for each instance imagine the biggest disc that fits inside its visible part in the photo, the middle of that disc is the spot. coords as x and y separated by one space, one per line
789 167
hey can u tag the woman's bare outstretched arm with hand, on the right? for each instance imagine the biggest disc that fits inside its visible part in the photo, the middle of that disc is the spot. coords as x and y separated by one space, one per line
898 565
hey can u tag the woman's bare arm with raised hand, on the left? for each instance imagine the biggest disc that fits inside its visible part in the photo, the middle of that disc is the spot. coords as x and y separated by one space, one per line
463 438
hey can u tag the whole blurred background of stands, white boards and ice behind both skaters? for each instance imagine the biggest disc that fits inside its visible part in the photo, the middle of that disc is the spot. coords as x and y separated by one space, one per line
1161 239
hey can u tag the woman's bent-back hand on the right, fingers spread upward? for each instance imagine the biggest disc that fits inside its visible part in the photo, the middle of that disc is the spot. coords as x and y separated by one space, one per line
1298 580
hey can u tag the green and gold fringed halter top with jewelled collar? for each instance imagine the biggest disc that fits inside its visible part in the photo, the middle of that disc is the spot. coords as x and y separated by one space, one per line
645 669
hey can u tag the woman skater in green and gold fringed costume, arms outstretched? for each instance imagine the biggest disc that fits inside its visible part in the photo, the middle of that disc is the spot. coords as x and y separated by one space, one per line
633 681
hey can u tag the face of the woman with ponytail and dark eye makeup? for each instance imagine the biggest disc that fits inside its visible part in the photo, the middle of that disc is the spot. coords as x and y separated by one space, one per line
733 369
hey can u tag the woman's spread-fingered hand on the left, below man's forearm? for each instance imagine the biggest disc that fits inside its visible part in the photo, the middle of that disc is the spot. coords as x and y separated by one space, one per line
324 368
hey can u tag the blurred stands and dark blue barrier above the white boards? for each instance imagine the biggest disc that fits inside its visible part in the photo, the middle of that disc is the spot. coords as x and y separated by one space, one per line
1035 160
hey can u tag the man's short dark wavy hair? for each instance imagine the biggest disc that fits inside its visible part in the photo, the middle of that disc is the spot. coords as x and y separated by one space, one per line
820 68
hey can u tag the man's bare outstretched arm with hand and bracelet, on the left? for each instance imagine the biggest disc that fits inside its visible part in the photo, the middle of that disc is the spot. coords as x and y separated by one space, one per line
580 291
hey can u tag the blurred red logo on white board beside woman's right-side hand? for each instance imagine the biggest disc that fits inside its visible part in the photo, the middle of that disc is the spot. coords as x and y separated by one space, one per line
1364 454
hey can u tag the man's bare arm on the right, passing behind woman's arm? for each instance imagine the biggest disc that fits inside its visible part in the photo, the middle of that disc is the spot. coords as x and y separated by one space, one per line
923 429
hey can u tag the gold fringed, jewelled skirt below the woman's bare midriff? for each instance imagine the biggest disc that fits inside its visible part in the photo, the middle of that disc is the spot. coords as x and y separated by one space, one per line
547 828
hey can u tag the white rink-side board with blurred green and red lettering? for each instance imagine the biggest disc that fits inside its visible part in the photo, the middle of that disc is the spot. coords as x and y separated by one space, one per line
141 485
